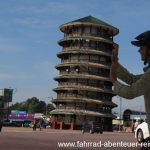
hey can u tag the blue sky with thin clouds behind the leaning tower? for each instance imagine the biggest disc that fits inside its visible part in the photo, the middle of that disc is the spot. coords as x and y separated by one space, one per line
29 31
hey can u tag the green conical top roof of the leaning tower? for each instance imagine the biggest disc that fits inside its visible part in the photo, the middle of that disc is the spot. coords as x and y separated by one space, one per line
92 20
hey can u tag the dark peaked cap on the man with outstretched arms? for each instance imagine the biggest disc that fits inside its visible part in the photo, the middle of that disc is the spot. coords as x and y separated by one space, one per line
142 40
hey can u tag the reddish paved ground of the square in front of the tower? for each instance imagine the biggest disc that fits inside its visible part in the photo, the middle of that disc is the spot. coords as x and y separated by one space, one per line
12 138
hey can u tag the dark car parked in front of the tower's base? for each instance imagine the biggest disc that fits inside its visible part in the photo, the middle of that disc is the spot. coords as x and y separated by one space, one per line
92 127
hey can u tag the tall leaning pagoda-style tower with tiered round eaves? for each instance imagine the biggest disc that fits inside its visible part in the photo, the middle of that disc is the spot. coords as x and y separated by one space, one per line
84 88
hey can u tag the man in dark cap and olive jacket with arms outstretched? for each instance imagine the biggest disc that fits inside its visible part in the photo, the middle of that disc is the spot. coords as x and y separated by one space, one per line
137 85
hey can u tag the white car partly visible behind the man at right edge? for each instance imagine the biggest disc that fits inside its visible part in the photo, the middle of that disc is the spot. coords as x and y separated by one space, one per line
142 132
